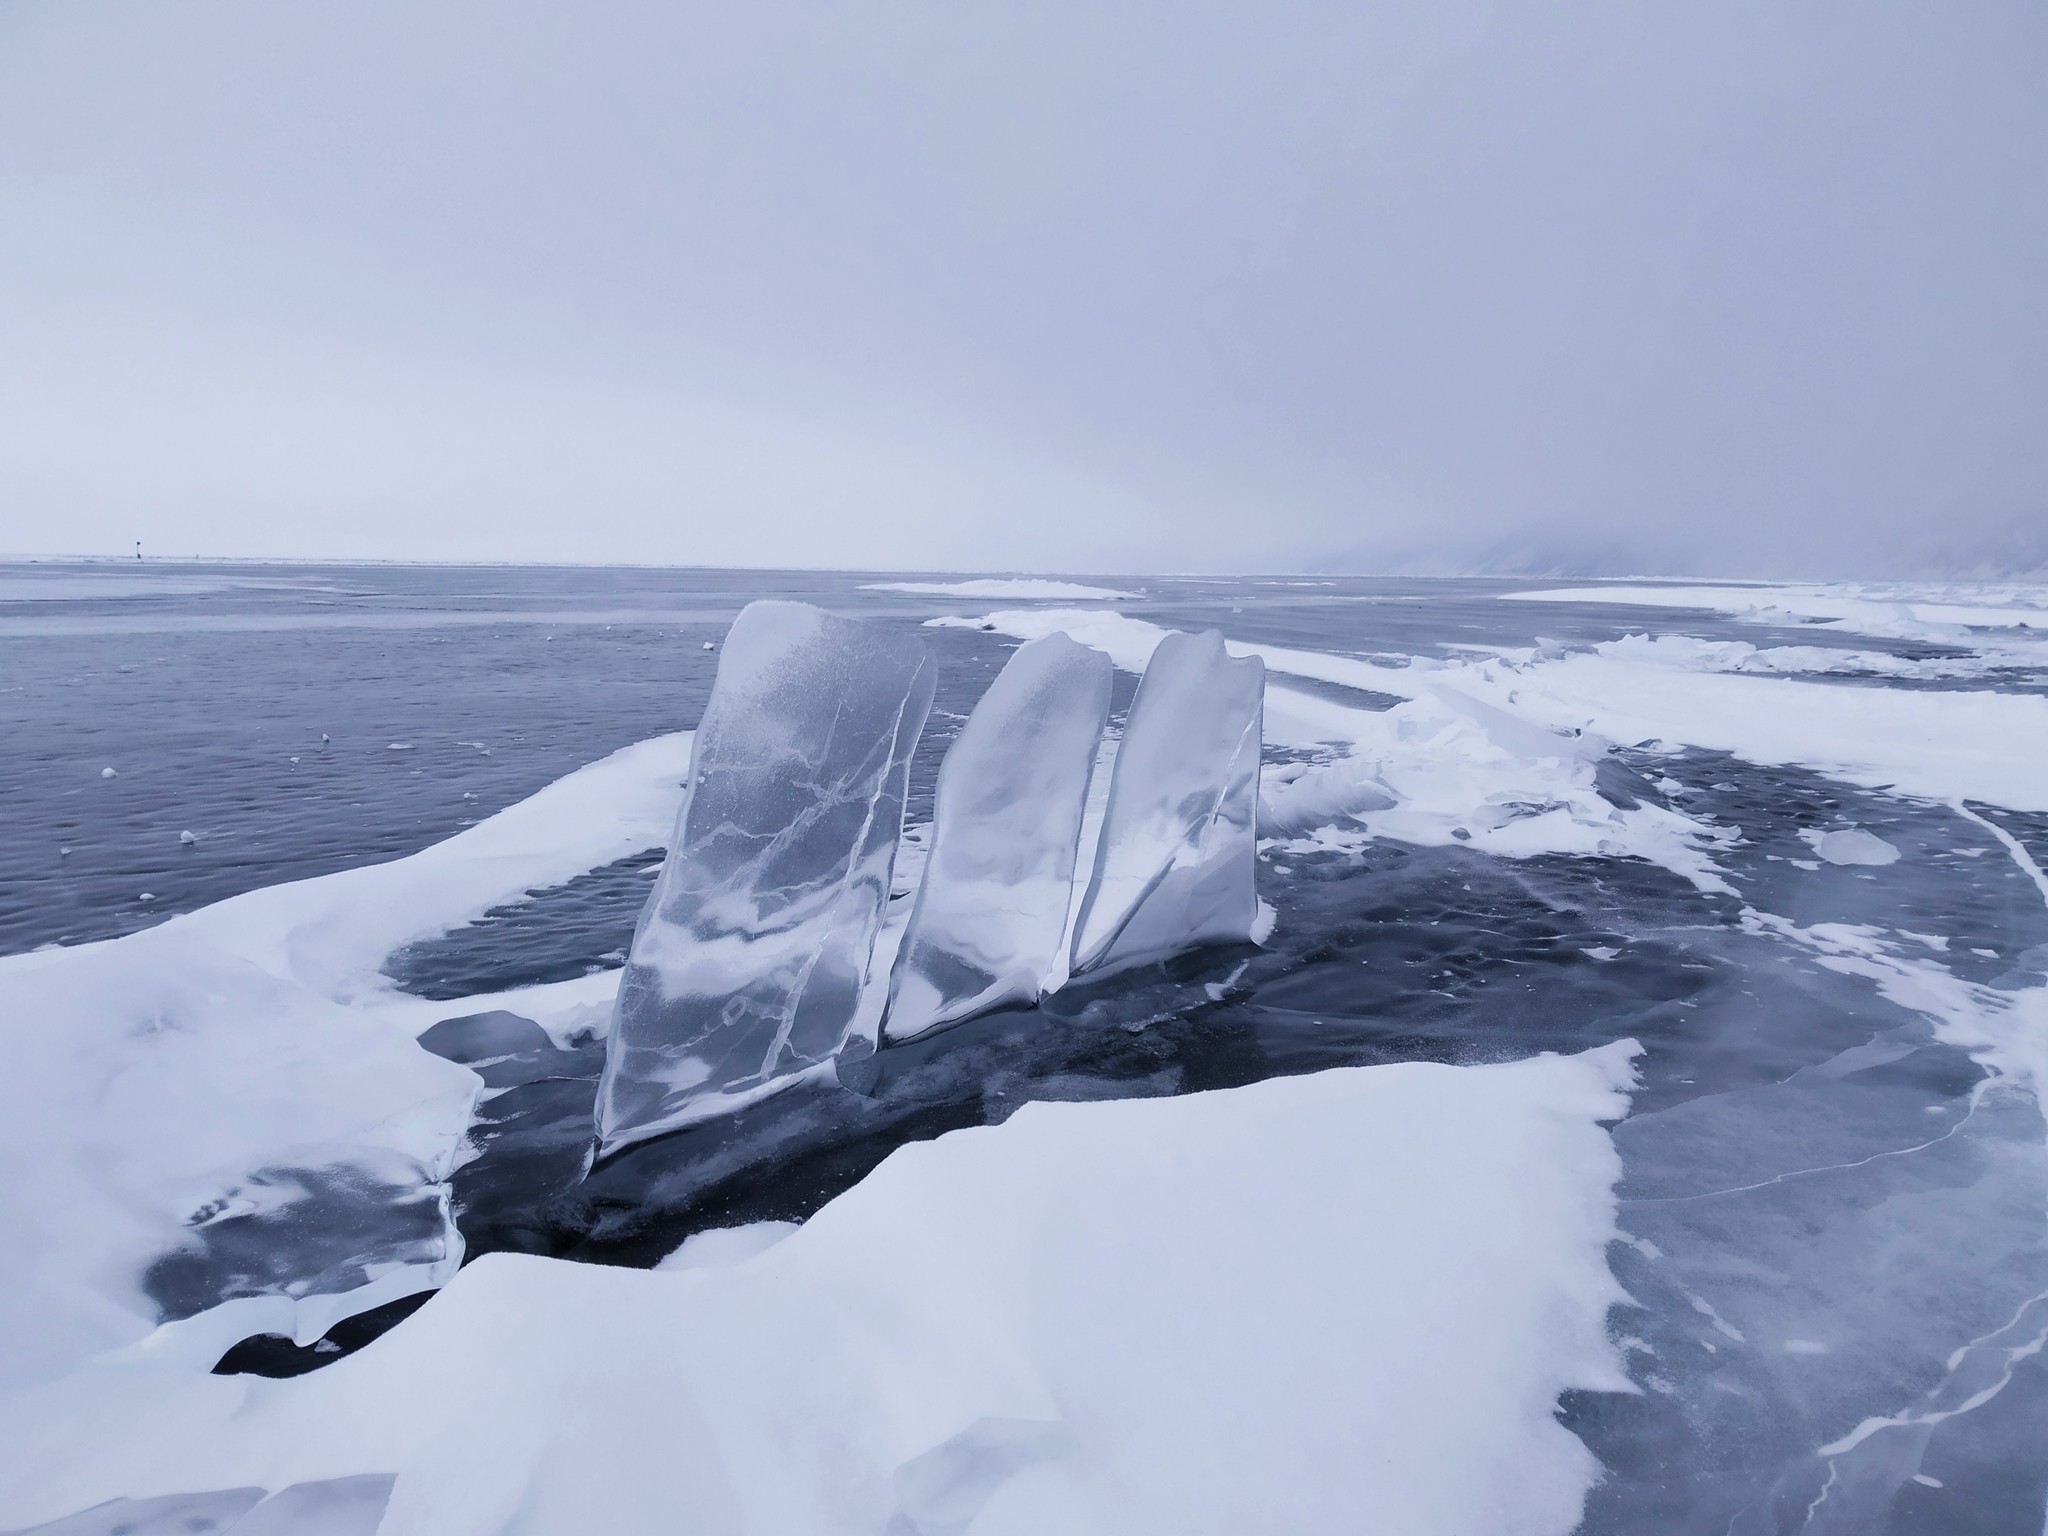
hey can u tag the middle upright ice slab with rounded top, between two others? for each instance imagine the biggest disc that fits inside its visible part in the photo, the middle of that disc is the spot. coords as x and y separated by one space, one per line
992 908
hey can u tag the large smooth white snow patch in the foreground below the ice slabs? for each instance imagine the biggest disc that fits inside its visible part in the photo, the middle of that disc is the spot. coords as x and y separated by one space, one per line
1297 1306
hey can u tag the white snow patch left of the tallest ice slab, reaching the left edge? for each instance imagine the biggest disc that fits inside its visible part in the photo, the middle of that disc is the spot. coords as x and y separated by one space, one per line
153 1076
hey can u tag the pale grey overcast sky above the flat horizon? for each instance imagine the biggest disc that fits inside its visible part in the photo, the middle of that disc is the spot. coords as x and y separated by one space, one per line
1695 286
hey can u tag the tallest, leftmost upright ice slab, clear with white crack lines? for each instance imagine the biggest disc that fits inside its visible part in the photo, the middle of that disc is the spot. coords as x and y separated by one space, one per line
755 945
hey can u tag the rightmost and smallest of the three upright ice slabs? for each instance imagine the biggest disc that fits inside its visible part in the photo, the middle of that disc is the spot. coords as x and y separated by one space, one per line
1177 857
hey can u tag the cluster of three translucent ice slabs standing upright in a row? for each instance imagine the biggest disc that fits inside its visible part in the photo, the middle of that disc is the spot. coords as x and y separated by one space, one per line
753 957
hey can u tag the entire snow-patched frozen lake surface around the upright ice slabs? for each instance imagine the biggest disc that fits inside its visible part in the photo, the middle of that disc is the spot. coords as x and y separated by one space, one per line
1631 1121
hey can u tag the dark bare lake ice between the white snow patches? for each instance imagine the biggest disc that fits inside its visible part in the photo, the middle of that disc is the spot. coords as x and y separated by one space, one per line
1836 1215
